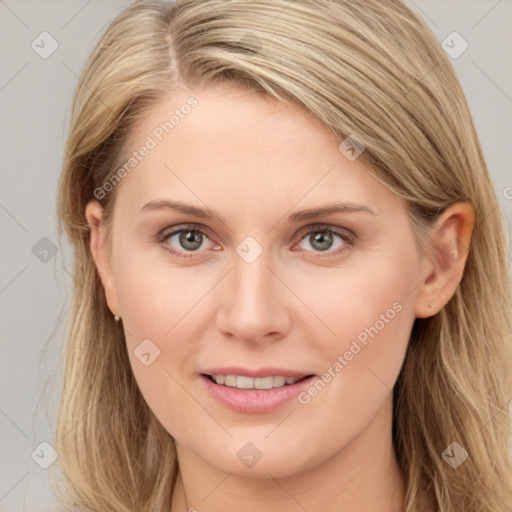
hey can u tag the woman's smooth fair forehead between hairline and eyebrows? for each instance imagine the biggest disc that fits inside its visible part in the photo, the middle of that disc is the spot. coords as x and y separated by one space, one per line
229 146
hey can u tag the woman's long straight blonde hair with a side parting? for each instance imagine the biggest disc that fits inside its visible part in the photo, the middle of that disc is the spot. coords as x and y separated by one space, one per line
370 68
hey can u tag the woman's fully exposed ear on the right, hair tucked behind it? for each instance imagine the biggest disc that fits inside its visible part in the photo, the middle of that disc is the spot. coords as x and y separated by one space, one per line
450 239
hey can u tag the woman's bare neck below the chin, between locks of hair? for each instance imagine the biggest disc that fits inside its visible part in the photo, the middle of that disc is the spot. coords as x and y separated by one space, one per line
363 476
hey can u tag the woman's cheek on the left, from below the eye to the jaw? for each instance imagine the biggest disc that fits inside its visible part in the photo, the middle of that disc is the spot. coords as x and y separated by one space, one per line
159 304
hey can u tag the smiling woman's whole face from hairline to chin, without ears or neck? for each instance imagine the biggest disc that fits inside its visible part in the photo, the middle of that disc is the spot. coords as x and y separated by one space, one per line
258 290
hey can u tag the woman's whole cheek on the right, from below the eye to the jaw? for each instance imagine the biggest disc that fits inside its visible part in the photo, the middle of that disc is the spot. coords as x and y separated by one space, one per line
369 312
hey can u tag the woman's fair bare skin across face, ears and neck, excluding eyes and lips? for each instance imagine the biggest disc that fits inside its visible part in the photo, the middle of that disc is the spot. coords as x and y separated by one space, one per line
254 161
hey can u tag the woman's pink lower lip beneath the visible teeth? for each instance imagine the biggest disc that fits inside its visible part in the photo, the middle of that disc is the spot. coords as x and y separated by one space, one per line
256 400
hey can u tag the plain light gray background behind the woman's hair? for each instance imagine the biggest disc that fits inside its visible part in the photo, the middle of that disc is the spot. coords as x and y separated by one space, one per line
35 98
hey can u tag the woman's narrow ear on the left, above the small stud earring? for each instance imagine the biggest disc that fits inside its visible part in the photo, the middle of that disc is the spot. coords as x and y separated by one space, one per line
93 214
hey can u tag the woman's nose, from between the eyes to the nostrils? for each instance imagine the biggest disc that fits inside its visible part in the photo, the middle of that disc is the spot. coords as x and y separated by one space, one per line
254 303
